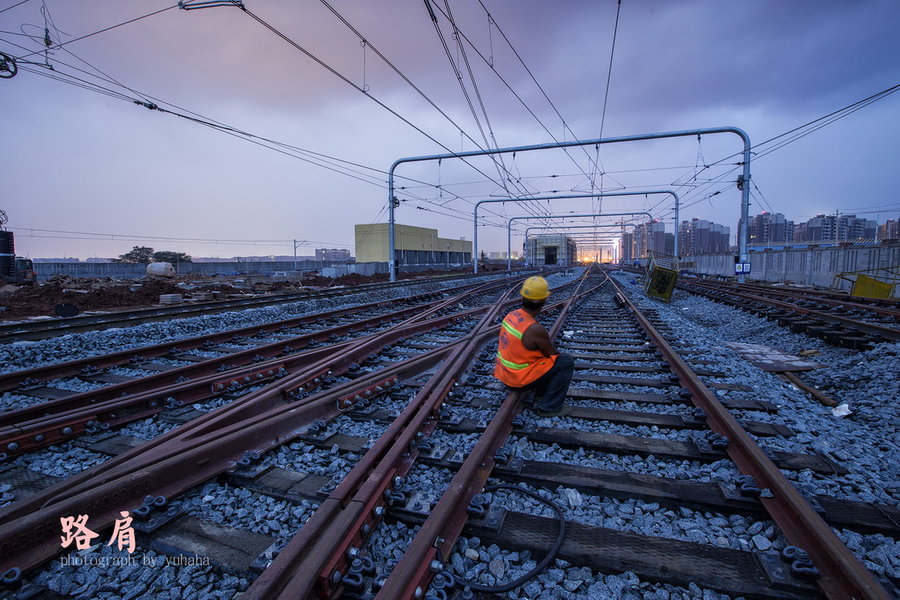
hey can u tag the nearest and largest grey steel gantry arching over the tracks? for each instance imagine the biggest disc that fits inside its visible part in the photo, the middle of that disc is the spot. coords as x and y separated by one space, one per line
745 178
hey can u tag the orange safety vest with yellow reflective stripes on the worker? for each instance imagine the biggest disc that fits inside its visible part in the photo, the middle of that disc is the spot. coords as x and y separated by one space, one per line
517 366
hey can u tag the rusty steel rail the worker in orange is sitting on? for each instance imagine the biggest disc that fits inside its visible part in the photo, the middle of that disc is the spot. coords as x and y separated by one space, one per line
438 534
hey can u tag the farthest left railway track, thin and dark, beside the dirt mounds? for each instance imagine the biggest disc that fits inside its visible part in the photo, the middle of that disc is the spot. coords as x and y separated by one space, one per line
51 327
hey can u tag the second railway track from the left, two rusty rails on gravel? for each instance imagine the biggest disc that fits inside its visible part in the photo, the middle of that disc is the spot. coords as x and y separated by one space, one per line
240 359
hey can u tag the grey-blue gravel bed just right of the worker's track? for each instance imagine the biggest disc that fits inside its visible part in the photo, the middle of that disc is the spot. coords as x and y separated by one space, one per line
866 442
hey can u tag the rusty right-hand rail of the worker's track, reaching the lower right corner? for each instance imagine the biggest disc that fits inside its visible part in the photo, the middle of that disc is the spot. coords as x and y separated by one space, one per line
842 575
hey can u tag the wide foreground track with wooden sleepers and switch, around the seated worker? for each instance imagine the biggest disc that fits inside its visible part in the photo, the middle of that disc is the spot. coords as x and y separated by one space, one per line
384 463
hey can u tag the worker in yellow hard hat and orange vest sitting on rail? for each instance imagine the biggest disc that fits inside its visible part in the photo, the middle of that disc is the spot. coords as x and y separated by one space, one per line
527 358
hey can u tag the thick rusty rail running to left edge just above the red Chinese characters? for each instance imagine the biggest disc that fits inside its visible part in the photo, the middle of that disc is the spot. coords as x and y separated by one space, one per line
29 533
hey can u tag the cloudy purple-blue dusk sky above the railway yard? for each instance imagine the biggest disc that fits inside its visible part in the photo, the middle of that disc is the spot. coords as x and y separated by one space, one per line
83 161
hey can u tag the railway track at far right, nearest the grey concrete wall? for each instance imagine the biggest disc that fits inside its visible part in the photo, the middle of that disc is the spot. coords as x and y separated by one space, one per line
840 321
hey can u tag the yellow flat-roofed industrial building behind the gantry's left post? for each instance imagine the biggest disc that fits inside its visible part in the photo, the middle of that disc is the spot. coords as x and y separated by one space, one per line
412 246
